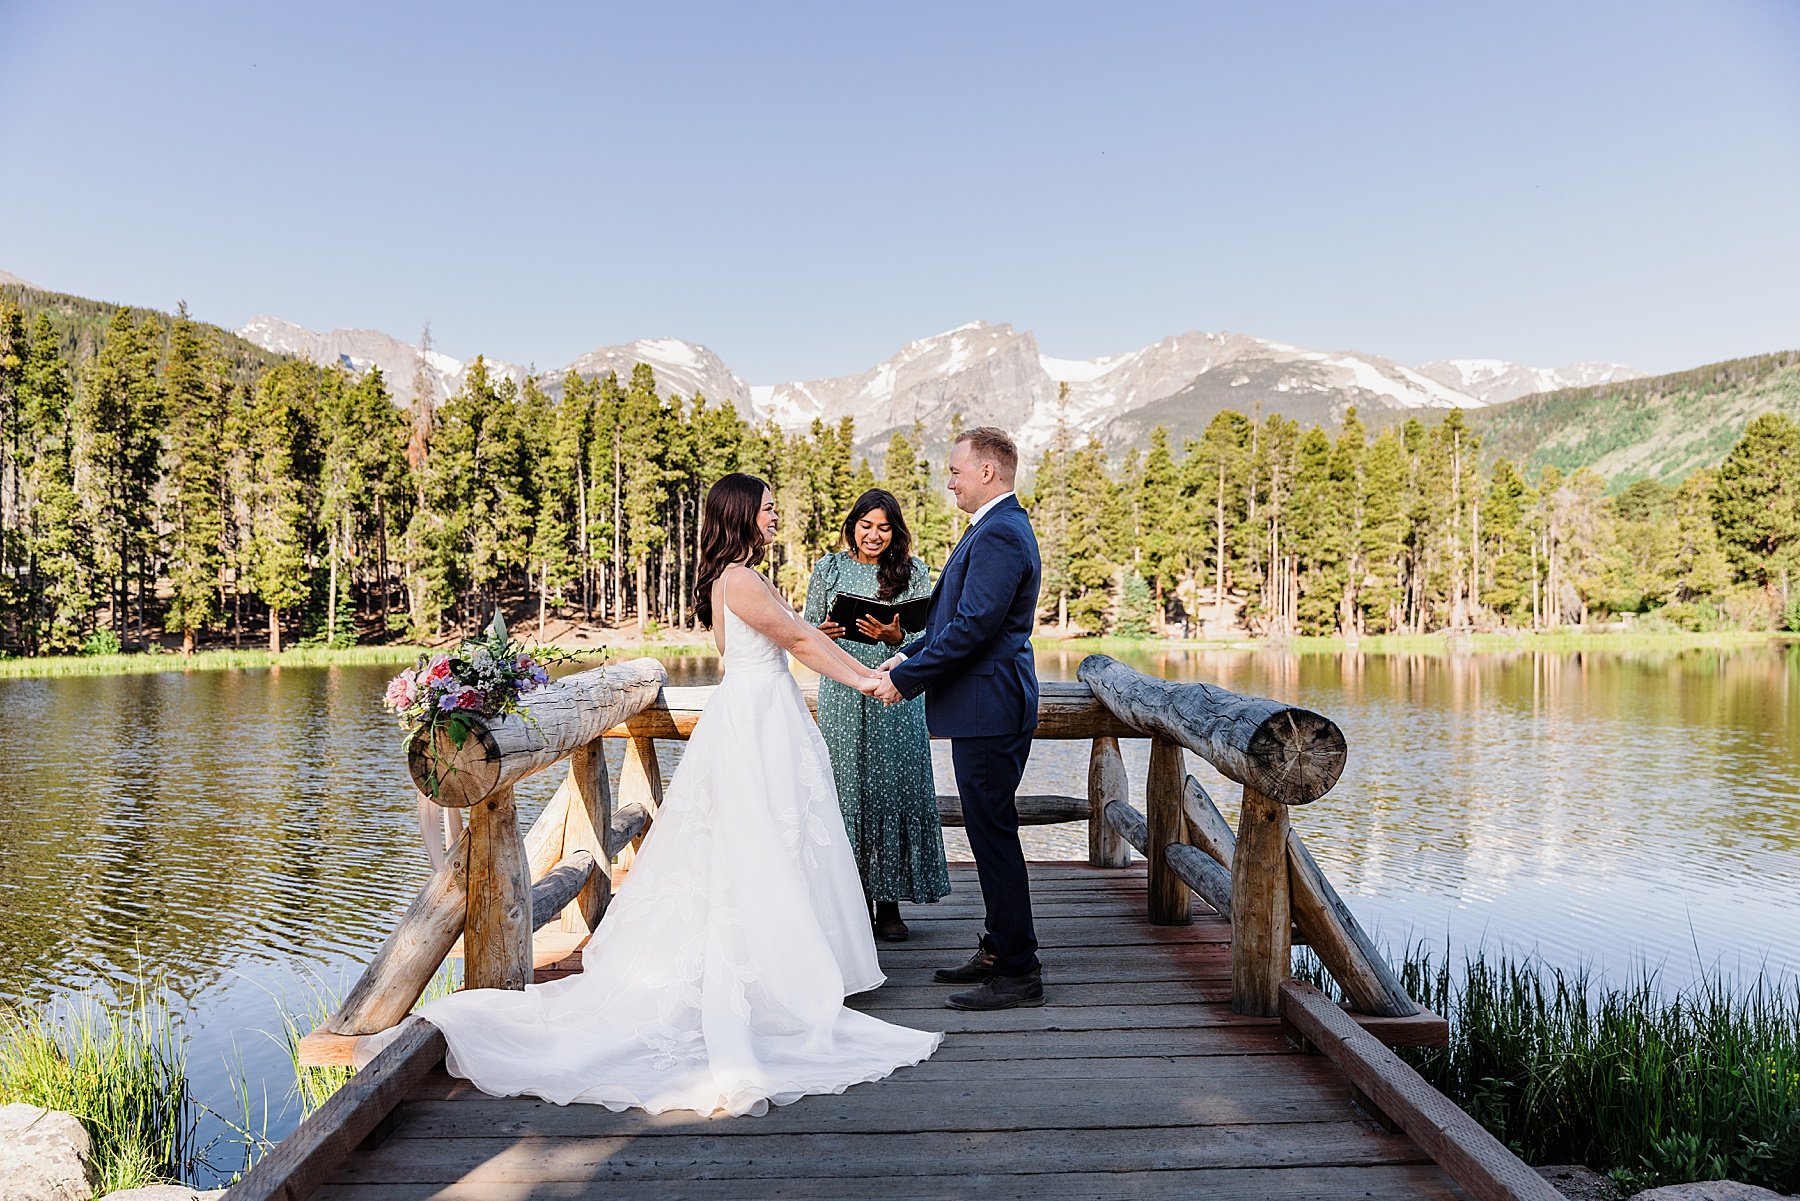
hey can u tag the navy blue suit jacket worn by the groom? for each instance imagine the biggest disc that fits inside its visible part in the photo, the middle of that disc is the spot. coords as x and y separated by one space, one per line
975 660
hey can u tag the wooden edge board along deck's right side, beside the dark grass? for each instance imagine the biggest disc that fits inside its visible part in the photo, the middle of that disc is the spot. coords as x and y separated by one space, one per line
1475 1159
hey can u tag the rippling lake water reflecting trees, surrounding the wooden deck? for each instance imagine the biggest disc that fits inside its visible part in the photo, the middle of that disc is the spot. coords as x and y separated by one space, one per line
249 836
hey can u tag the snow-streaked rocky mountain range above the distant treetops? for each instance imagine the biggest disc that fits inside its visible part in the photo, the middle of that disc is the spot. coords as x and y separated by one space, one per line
998 375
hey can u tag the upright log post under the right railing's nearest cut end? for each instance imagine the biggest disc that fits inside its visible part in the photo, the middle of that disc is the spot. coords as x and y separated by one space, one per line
1261 946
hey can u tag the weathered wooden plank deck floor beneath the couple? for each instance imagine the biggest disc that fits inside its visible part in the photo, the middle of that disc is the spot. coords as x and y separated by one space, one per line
1135 1081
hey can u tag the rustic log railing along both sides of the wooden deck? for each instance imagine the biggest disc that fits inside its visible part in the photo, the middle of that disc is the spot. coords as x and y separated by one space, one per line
494 889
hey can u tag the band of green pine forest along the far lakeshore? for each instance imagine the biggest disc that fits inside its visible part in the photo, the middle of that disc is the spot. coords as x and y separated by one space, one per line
159 482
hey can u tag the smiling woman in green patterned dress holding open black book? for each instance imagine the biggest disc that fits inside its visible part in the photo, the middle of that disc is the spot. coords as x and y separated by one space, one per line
881 755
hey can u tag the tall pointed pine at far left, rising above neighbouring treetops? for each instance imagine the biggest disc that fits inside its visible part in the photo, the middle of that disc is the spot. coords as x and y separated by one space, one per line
195 388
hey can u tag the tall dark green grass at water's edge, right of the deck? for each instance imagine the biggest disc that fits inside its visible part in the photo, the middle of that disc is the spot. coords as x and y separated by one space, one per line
1651 1088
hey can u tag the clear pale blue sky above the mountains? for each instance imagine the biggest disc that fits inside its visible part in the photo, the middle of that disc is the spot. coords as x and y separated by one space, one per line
807 186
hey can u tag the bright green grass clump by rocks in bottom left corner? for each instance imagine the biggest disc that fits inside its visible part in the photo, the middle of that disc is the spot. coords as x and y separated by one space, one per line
120 1069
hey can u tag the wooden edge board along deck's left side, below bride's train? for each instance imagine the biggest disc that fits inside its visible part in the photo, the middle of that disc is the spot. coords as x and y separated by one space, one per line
307 1157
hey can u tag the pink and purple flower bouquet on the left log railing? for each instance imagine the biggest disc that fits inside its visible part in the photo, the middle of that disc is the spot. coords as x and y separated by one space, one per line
489 676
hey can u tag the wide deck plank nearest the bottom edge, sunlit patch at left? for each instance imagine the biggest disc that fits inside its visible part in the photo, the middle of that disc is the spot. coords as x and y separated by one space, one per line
764 1157
